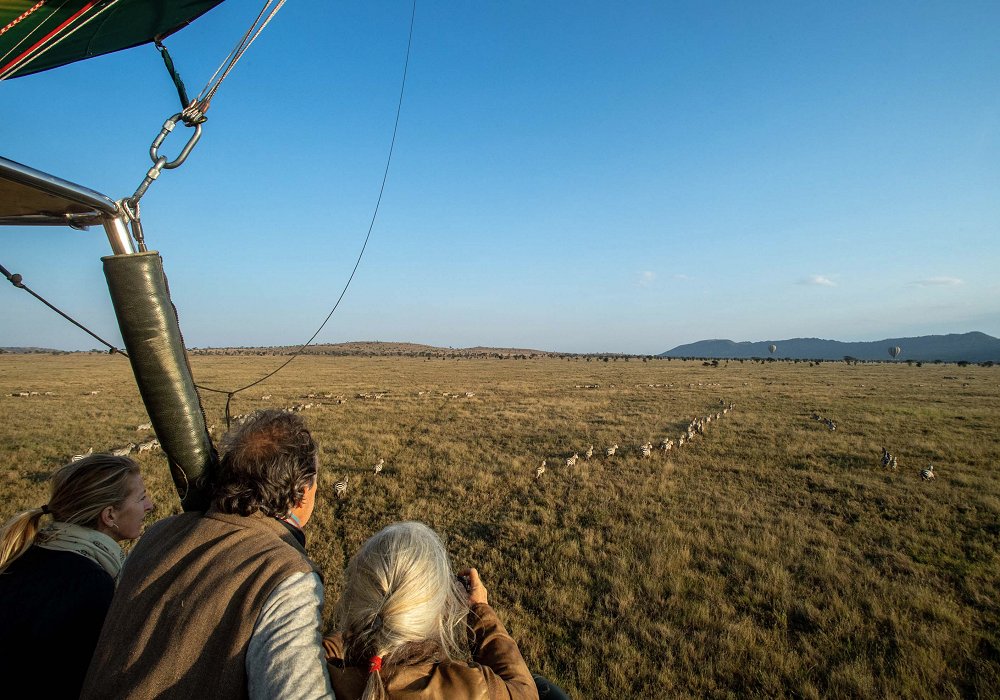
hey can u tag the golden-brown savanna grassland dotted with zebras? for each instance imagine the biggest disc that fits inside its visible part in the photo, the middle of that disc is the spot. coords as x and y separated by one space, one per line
770 557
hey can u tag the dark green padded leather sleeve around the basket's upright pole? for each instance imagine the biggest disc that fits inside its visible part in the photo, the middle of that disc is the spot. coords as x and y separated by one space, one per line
155 347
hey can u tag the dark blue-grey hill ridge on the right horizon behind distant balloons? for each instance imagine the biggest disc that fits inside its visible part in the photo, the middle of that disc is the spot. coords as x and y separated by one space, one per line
954 347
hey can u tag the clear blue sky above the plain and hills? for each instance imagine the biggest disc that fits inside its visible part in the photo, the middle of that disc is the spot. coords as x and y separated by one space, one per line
576 176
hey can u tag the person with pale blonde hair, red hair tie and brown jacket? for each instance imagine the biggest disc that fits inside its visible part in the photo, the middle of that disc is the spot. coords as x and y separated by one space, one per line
404 621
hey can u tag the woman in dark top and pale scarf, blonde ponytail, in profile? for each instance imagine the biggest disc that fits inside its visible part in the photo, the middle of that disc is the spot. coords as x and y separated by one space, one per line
56 581
